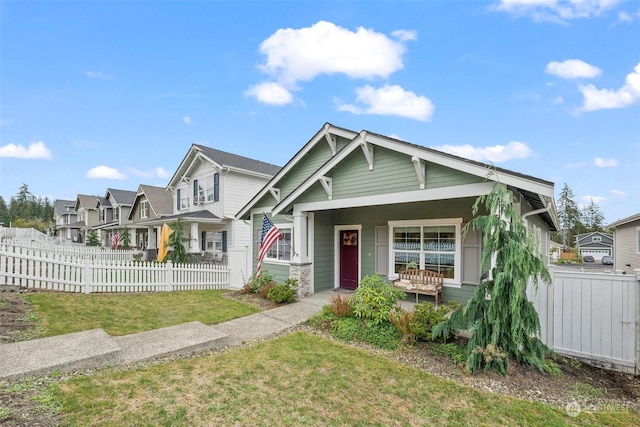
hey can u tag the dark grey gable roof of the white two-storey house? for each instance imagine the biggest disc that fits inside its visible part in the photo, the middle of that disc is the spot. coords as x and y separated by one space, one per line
222 160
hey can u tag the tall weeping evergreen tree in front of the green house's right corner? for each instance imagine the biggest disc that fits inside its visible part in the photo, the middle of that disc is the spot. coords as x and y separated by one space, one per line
502 321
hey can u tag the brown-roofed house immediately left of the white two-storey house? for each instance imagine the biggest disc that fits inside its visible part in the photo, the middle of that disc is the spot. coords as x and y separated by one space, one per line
149 204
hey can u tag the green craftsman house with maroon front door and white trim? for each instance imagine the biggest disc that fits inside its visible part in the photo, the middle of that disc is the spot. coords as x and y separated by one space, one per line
352 204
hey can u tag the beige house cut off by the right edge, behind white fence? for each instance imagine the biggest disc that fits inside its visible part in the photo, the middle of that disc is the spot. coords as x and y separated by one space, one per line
626 246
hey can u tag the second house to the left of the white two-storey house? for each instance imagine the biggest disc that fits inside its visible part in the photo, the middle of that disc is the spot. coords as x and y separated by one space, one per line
113 210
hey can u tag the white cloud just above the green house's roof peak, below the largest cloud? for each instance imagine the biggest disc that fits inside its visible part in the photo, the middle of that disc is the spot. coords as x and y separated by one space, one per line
391 100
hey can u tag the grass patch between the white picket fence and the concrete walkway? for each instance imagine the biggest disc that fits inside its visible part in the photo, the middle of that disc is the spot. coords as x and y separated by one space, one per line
123 314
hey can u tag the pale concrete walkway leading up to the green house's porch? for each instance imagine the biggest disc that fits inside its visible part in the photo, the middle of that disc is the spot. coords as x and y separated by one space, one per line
95 349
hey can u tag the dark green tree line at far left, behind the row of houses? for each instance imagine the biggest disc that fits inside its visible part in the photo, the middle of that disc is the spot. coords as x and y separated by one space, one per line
25 210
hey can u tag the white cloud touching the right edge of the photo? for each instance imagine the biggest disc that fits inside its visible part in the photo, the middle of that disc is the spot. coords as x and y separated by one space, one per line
600 99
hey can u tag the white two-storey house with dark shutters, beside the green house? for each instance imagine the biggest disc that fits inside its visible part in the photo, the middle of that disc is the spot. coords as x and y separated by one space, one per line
207 189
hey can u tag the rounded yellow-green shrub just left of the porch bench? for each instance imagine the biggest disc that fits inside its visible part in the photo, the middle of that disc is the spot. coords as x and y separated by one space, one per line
374 299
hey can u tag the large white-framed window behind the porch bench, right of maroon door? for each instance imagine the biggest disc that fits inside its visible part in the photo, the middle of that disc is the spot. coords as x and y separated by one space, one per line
430 244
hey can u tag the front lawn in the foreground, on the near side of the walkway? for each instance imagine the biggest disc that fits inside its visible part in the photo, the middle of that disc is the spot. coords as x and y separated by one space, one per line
298 380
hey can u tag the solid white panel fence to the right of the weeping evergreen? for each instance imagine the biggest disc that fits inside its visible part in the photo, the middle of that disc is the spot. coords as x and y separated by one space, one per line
592 316
